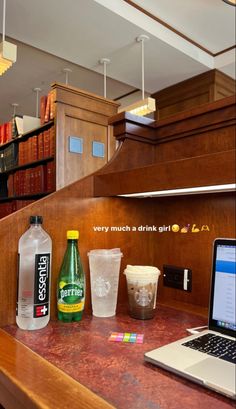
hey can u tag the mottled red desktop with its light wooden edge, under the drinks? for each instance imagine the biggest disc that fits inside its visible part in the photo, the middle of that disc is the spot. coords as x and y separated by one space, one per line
75 366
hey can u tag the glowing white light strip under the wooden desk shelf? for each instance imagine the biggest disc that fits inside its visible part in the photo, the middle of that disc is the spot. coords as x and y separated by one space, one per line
185 191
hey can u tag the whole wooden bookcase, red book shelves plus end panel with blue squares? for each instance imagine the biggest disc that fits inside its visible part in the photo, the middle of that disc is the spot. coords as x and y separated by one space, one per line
77 114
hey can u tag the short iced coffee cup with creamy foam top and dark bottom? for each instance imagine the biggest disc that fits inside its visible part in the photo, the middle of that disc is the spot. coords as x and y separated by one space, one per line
142 282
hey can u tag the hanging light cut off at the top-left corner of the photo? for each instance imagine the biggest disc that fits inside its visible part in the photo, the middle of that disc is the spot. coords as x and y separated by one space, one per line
7 50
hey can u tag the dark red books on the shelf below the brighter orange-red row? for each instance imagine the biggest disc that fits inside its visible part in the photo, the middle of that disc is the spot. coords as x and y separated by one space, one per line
31 181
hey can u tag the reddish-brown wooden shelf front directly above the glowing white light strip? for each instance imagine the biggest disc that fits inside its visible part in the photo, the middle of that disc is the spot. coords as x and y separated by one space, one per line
176 174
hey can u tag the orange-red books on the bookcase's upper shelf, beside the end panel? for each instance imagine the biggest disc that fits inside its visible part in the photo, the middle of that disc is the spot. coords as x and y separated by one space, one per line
37 147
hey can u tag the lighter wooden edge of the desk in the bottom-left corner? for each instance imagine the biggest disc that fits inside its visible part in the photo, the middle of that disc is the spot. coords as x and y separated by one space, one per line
33 387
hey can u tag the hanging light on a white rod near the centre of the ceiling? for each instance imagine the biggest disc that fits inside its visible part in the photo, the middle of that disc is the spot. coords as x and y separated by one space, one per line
146 105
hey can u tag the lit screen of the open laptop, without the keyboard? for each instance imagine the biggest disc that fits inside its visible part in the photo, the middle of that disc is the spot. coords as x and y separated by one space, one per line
222 307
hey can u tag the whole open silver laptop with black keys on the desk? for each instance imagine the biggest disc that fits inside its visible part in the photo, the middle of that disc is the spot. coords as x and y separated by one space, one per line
209 357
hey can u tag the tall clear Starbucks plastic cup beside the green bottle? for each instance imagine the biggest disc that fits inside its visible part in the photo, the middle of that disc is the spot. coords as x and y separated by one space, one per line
104 268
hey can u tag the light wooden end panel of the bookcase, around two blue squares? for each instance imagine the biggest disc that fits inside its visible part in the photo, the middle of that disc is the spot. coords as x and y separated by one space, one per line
85 115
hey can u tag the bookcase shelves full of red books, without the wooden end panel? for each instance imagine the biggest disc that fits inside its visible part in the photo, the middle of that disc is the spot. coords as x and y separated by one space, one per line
25 175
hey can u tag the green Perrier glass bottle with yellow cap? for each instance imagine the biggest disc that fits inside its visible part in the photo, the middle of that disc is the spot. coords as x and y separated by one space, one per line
71 282
